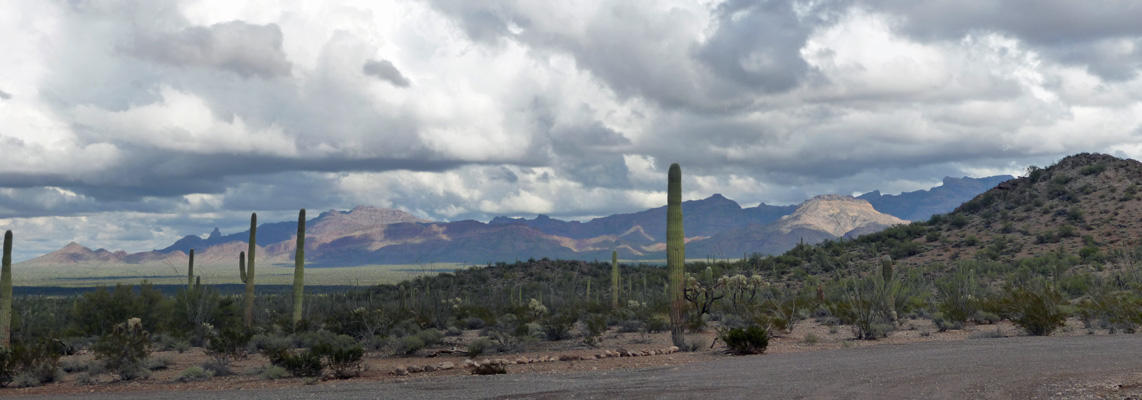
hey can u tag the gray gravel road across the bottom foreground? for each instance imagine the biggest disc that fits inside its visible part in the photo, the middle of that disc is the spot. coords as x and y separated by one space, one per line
998 369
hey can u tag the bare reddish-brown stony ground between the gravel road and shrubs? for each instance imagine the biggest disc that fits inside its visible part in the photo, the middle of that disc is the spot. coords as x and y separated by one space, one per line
616 351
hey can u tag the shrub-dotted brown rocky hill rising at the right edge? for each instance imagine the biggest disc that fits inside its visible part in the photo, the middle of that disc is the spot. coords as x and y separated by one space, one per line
1085 209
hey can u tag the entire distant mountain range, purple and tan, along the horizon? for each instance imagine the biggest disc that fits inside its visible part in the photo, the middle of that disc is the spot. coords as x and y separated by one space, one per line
715 227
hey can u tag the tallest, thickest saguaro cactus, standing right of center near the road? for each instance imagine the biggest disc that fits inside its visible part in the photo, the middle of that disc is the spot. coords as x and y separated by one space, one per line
675 253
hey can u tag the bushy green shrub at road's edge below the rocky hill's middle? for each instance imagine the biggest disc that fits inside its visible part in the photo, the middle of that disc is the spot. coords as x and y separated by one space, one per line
1036 308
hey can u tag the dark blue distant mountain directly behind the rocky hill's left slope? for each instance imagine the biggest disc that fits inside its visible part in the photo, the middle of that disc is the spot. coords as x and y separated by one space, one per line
923 204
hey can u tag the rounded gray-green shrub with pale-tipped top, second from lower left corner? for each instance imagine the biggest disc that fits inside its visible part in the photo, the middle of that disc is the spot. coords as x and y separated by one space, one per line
124 350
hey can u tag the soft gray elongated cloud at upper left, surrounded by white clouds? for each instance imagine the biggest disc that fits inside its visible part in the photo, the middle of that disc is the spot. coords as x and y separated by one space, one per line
237 46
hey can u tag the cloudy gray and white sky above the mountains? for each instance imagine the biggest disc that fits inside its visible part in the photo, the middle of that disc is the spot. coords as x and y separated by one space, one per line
127 125
